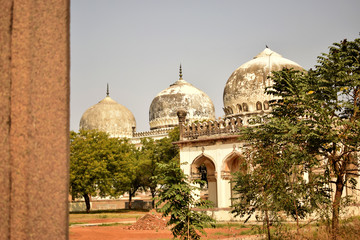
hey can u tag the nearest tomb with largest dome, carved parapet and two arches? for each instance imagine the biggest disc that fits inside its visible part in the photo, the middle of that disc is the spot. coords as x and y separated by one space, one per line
213 146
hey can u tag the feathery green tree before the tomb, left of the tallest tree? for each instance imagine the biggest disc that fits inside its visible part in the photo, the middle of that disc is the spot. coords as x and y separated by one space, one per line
275 182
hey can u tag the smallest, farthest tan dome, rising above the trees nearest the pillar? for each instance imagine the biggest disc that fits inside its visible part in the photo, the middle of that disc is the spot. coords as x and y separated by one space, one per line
109 116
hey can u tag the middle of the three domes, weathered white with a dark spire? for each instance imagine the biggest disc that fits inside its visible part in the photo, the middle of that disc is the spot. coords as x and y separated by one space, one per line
181 94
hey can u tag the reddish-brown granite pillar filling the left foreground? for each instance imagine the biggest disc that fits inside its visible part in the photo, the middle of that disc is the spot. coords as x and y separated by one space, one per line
34 112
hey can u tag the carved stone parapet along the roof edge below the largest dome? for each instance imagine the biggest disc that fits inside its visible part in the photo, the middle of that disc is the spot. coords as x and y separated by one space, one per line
209 128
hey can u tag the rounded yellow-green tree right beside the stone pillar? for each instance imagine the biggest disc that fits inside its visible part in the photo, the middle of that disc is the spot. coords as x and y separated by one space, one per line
99 165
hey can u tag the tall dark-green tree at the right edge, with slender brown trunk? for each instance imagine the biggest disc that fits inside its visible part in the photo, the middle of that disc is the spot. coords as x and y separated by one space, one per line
334 115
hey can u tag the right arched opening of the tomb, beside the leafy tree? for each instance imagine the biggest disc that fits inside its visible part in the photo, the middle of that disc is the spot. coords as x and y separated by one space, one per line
233 163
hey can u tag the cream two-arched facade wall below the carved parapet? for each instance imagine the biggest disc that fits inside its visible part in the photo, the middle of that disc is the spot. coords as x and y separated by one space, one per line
213 161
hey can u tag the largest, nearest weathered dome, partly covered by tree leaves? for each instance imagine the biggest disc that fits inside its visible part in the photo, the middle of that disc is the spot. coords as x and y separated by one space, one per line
245 89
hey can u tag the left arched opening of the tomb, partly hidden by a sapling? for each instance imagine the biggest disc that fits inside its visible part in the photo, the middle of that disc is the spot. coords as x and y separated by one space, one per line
204 168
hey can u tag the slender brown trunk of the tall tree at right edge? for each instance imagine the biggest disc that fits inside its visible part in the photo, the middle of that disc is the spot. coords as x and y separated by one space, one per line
336 207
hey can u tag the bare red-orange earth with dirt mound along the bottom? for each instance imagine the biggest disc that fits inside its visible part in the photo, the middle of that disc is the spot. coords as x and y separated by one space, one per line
147 227
